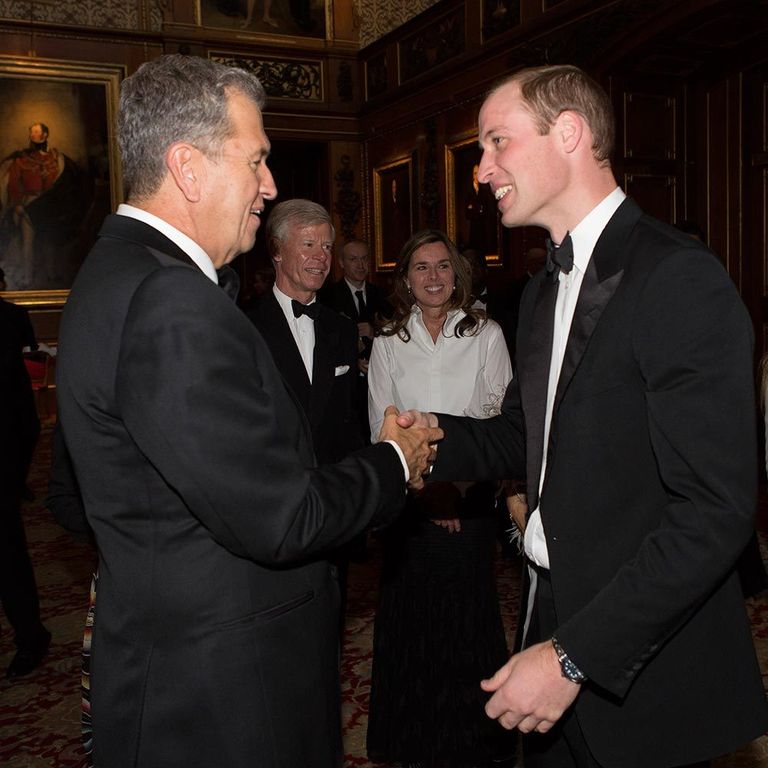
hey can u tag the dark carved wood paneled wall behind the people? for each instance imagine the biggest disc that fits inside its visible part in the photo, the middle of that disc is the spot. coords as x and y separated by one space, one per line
689 82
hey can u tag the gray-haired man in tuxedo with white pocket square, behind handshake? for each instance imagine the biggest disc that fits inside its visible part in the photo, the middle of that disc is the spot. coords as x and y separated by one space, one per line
314 347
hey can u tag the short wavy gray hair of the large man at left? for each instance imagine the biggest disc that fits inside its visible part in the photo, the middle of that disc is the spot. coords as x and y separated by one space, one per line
175 98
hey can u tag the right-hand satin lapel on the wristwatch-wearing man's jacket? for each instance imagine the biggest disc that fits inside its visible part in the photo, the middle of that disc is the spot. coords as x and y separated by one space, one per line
604 273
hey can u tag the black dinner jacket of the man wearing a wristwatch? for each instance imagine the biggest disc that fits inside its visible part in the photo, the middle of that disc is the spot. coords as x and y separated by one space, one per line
650 492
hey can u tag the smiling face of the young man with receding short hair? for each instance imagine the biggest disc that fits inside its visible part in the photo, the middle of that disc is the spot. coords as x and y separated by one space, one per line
525 170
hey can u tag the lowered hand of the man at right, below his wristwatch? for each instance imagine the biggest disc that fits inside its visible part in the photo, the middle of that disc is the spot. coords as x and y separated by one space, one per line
529 691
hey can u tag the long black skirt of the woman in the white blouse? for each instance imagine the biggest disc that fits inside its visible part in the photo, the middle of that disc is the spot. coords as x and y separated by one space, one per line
437 633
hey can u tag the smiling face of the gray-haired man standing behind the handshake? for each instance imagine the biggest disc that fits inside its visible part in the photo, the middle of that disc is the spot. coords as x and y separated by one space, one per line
303 259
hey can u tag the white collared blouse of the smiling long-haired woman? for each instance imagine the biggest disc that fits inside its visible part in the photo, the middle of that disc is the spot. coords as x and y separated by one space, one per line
463 376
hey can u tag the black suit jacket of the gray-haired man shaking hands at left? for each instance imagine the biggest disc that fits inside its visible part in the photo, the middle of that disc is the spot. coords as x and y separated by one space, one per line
215 641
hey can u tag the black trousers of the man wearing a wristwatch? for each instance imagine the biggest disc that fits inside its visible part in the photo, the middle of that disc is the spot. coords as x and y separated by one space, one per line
564 745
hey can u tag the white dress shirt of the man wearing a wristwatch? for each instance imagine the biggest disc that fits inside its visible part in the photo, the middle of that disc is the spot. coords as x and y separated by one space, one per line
584 237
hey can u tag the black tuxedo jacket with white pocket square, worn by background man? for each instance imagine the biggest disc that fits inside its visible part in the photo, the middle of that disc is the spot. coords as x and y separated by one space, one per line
329 400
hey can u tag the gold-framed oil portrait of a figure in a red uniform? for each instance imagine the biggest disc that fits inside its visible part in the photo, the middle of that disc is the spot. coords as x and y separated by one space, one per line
59 172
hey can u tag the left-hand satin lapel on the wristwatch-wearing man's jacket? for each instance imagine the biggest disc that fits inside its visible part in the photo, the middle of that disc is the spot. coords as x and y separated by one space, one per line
534 359
